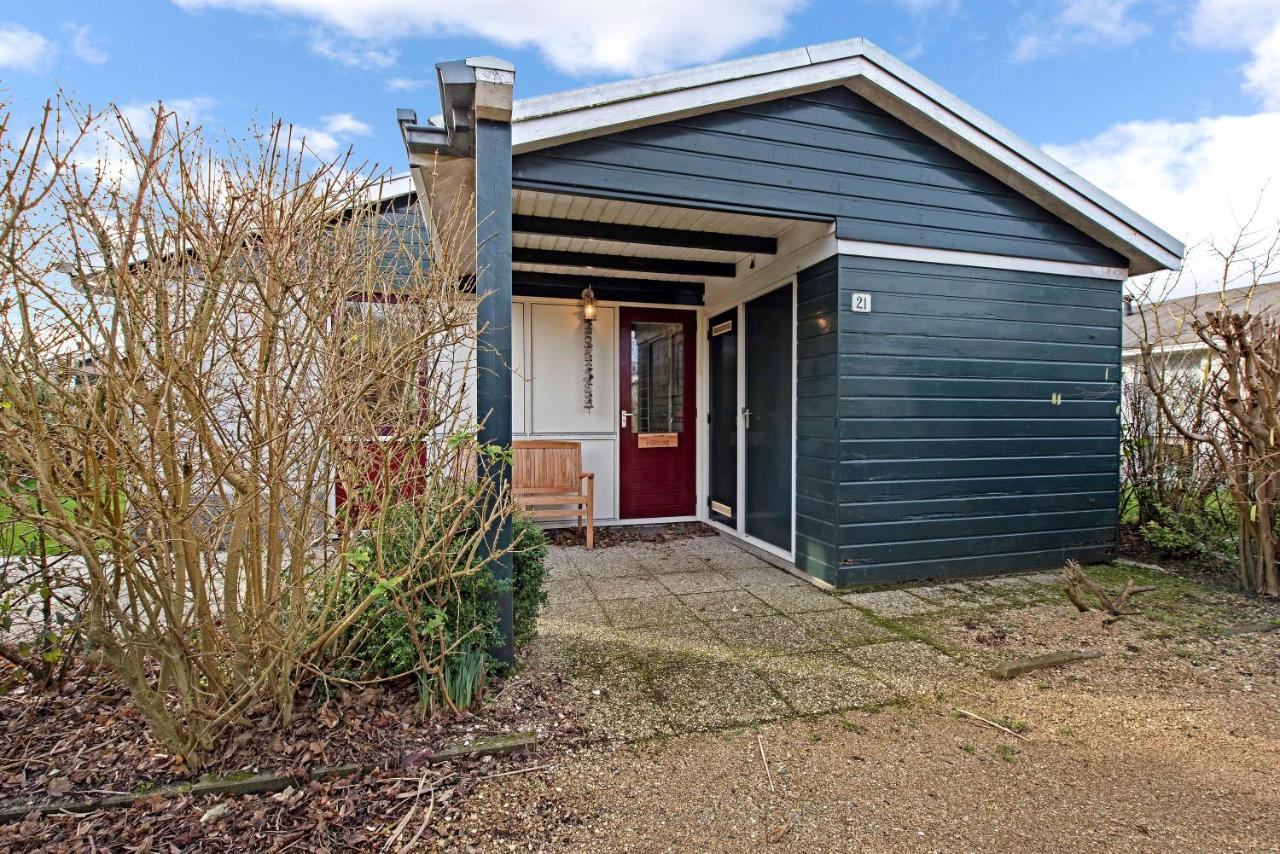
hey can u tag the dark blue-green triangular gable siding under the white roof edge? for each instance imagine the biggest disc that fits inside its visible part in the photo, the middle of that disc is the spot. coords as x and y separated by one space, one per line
828 156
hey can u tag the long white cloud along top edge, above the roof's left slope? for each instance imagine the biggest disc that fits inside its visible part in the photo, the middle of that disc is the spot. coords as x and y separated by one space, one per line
575 36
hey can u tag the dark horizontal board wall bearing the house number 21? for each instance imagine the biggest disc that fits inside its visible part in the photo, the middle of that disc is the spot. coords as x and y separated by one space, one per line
954 458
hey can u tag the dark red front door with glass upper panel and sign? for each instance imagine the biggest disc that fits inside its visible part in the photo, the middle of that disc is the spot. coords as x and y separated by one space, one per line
659 415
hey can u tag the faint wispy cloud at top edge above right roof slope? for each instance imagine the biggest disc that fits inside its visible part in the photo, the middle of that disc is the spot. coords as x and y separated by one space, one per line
1077 24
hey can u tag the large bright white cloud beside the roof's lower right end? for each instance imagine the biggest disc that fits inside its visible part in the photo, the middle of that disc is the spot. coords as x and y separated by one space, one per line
1203 181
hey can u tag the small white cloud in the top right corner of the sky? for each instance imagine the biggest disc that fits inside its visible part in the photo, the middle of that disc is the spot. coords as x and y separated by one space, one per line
1245 25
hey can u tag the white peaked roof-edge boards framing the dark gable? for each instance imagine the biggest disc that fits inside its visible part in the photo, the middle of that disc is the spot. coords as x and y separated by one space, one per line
597 111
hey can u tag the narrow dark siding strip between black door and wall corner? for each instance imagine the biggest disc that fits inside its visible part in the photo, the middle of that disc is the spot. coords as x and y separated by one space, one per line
817 439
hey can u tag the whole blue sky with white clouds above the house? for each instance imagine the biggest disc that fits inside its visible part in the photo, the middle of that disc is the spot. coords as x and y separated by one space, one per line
1173 106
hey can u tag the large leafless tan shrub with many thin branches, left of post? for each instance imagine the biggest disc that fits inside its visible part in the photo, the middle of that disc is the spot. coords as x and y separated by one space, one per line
203 345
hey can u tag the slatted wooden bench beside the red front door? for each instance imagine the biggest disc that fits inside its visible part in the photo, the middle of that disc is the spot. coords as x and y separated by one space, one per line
548 481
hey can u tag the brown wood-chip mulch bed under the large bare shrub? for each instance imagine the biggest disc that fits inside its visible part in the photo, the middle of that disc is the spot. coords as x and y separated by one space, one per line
86 742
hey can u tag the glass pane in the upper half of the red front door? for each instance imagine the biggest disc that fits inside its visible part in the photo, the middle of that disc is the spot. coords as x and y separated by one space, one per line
659 377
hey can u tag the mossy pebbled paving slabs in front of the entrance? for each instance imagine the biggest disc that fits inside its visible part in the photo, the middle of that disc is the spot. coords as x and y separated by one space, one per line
697 634
